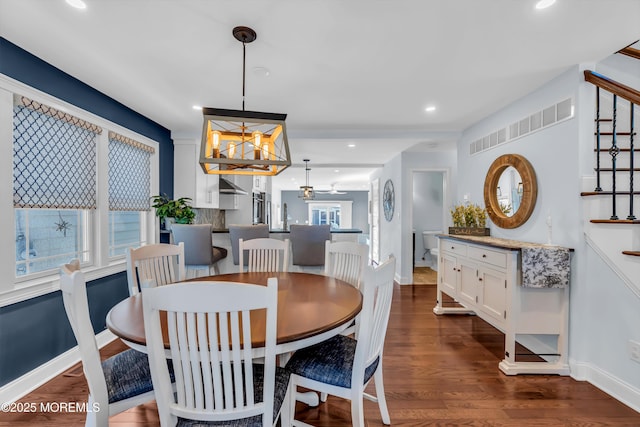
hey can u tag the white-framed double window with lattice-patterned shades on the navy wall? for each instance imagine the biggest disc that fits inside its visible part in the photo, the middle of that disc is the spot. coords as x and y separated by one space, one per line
80 188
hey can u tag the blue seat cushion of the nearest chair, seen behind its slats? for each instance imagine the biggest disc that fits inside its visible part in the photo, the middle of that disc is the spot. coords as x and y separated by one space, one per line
280 390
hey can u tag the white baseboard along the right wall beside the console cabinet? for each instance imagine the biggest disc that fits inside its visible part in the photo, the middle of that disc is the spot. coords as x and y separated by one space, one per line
615 387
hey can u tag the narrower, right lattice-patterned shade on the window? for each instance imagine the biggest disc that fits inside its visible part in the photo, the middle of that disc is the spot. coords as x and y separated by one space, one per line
129 174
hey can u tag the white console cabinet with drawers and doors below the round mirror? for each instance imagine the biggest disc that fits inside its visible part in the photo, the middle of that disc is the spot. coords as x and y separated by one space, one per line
483 275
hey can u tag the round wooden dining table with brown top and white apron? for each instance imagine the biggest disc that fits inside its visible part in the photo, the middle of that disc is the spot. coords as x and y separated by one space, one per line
311 309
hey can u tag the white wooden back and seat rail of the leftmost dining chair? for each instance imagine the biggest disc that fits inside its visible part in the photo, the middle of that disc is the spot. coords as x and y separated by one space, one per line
74 296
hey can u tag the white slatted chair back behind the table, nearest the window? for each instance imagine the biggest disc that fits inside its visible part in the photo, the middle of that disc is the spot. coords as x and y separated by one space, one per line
154 265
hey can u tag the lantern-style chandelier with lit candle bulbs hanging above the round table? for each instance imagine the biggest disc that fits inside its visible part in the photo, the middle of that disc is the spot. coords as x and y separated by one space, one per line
243 142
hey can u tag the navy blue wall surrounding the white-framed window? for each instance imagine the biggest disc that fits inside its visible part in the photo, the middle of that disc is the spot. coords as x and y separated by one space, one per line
35 331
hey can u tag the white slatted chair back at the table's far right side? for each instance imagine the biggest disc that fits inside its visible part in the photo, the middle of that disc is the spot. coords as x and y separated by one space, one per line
346 261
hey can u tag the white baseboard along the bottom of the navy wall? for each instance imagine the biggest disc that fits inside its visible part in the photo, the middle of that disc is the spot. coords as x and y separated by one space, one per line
24 385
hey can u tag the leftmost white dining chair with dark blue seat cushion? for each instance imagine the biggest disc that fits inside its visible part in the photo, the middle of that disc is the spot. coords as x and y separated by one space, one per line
117 384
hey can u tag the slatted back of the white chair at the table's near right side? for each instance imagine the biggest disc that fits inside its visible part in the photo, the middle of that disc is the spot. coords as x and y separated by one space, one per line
377 293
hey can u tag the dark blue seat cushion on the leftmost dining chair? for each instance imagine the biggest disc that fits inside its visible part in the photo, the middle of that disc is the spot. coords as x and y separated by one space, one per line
127 375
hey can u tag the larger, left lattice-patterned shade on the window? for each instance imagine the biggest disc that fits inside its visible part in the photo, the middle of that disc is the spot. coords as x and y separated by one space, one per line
54 158
